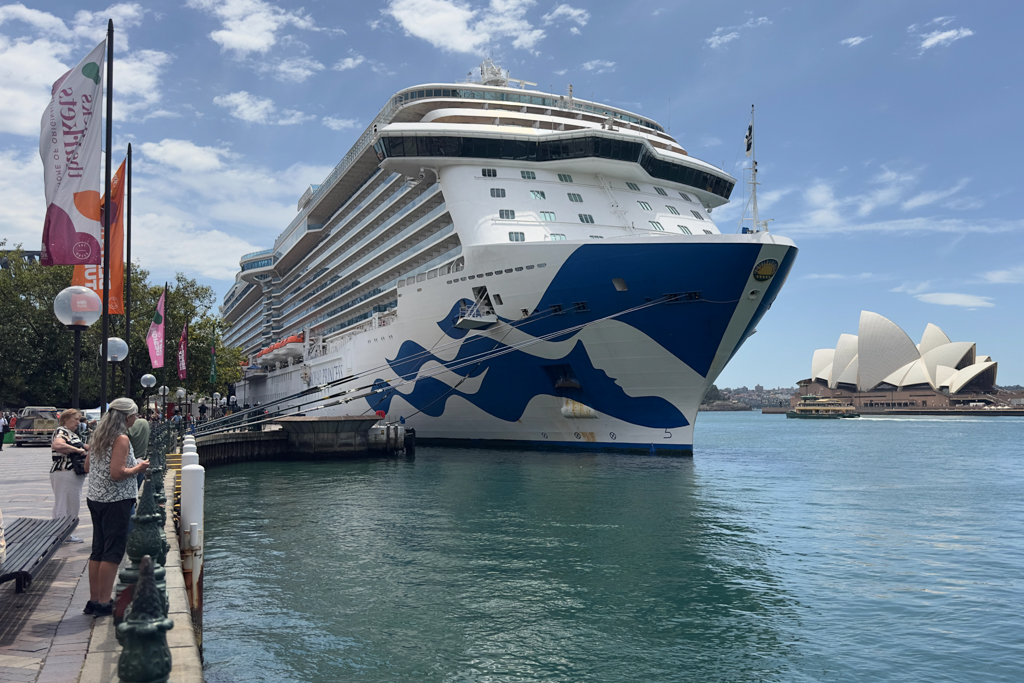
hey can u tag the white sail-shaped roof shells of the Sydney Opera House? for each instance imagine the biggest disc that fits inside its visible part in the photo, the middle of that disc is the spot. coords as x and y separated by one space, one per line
881 355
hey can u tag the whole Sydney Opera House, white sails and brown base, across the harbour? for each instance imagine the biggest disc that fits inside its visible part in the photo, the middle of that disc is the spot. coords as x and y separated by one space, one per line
882 368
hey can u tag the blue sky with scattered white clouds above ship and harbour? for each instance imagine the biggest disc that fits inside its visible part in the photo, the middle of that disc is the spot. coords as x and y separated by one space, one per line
887 134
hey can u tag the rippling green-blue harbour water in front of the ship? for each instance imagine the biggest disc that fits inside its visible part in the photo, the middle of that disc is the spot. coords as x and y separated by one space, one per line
790 550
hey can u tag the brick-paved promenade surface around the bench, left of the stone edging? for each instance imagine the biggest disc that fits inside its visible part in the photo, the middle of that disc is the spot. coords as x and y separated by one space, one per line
45 636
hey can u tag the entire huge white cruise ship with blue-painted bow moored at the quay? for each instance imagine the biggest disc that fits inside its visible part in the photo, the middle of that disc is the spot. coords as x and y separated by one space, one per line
491 265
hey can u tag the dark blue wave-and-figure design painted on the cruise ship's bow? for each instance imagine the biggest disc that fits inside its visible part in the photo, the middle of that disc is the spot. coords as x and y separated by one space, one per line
691 331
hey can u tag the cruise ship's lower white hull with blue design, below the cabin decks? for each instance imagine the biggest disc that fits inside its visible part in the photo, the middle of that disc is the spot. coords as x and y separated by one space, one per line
622 370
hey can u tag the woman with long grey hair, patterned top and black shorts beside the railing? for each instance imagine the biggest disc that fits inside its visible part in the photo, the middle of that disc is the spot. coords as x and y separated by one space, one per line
113 490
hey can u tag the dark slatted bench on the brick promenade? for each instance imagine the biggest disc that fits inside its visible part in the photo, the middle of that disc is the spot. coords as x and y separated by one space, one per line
31 544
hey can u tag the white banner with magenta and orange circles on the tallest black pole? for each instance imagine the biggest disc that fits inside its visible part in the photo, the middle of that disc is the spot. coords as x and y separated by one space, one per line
70 148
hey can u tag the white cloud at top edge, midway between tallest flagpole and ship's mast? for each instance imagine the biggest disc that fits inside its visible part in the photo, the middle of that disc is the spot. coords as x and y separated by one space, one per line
250 26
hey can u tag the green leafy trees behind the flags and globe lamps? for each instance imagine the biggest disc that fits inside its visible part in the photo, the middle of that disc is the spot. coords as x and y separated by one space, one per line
37 362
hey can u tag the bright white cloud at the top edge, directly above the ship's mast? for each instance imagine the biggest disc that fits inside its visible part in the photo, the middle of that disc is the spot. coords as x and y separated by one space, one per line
456 27
